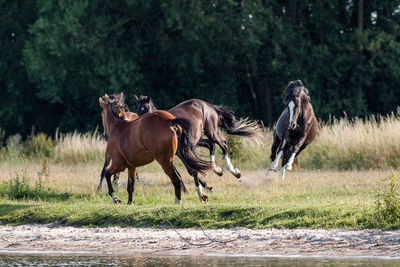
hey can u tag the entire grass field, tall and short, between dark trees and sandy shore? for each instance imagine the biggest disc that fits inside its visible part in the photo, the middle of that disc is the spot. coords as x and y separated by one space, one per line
345 181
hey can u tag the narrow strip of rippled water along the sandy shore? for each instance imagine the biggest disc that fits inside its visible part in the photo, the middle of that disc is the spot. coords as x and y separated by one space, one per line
54 259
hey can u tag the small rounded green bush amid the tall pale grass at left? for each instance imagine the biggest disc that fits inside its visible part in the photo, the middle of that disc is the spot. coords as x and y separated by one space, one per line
40 145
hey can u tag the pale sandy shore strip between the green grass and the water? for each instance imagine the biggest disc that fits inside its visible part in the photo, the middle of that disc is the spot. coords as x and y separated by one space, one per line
168 242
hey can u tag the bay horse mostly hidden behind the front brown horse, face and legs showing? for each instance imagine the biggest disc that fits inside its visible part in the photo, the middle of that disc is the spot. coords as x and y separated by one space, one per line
120 109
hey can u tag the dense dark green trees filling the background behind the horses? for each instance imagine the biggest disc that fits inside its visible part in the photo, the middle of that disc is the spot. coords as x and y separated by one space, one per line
58 57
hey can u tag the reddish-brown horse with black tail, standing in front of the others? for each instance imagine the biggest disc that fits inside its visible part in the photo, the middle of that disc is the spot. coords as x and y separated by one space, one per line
132 144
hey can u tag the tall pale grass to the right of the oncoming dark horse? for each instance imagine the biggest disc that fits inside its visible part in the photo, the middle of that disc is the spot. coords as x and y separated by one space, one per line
356 144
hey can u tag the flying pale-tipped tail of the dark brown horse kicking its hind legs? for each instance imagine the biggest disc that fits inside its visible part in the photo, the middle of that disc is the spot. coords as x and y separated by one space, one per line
242 127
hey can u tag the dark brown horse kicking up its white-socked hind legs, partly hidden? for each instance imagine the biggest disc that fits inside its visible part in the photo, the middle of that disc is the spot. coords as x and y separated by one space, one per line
206 118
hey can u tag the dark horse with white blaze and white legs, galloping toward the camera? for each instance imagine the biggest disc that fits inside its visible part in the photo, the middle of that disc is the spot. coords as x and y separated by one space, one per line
295 129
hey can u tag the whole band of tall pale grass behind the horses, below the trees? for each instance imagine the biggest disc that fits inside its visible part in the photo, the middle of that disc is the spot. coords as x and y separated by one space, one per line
342 144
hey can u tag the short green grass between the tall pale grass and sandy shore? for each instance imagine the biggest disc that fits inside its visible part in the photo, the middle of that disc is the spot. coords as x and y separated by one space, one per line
306 199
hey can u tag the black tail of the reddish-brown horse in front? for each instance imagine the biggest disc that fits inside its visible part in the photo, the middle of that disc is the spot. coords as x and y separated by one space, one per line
186 148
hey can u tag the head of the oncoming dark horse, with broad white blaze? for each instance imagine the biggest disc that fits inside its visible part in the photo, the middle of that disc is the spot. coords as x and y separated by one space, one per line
295 95
